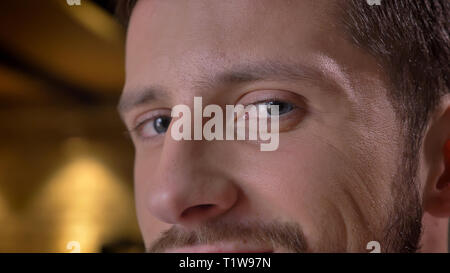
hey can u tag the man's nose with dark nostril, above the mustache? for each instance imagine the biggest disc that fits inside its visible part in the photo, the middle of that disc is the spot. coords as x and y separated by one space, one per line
190 187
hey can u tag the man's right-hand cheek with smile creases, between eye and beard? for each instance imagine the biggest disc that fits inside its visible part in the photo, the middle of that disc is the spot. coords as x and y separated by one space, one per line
312 182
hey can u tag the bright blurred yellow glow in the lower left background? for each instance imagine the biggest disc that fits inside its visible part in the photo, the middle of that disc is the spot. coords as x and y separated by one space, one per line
87 201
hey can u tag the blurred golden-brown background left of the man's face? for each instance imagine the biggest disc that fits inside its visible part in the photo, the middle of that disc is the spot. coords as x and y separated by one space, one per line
65 163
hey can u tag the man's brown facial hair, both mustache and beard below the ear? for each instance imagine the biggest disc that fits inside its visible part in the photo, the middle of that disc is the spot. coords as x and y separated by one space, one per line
401 233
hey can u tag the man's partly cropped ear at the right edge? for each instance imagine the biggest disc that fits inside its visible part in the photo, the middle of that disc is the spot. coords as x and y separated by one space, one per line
436 196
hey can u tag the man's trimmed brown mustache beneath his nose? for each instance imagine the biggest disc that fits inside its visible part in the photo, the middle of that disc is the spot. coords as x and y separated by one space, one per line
276 234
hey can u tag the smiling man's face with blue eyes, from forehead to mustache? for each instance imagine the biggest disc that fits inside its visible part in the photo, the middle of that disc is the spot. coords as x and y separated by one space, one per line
330 182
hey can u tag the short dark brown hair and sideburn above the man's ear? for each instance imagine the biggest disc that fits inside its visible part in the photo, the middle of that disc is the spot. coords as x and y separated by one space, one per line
410 39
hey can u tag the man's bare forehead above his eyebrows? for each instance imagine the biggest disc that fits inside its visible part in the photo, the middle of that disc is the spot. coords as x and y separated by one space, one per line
185 39
